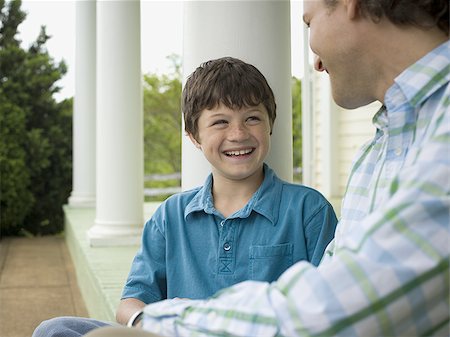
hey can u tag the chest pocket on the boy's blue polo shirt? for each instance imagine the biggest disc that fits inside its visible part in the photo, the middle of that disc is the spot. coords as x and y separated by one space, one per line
267 263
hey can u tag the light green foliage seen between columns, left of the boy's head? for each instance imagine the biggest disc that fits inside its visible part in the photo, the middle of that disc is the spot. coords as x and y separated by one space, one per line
162 124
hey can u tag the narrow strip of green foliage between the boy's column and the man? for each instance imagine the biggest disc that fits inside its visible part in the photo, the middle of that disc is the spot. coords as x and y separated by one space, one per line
297 126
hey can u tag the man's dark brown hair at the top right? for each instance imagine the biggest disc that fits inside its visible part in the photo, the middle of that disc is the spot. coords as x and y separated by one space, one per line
421 13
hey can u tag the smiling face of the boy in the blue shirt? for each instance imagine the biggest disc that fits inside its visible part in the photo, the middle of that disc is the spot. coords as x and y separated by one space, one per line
235 142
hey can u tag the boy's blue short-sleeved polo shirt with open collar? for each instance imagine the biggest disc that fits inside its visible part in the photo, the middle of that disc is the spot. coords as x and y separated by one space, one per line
190 250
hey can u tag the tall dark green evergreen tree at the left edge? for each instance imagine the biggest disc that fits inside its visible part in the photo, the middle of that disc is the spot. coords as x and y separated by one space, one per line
35 145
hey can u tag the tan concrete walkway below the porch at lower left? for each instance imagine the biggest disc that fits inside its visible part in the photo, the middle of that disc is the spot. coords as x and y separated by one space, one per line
37 282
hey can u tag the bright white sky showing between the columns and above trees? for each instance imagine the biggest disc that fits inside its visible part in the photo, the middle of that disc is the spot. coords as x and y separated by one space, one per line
59 18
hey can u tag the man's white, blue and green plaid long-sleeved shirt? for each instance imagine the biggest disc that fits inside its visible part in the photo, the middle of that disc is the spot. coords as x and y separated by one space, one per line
387 272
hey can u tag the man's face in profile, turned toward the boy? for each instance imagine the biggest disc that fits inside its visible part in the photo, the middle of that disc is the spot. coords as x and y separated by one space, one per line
338 42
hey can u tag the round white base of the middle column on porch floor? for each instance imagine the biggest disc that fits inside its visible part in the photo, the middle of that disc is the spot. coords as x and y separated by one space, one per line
114 234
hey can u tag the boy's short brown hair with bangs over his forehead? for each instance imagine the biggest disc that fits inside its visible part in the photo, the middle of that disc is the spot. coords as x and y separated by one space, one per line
226 81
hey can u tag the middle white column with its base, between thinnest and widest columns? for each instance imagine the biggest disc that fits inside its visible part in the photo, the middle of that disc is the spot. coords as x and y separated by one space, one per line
120 183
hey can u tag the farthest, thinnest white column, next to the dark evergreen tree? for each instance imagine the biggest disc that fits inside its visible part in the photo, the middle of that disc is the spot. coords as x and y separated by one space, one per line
83 175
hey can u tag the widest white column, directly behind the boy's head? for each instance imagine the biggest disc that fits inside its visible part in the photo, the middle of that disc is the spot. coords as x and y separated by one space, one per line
258 32
